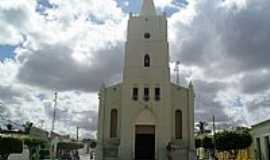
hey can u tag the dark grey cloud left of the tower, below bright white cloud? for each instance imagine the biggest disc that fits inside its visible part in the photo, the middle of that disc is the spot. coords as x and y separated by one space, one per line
50 69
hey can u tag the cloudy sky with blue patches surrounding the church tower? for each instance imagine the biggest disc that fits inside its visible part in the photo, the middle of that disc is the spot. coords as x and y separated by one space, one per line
74 47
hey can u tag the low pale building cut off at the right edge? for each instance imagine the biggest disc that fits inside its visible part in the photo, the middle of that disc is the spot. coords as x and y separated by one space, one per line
261 143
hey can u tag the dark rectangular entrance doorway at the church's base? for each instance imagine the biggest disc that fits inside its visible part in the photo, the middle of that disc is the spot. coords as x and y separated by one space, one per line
145 142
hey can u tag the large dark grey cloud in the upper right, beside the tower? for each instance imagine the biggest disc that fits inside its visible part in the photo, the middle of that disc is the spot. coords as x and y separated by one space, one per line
222 39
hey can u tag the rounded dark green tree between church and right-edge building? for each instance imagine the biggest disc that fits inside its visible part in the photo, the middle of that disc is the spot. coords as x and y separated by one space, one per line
232 142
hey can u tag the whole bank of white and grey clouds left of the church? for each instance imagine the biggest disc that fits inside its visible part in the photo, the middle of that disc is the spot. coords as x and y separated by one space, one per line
59 50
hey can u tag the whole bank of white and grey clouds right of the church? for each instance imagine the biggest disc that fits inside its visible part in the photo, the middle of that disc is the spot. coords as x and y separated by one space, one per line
228 42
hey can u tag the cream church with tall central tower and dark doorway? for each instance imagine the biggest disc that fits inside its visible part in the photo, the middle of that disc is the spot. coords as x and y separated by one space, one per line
141 116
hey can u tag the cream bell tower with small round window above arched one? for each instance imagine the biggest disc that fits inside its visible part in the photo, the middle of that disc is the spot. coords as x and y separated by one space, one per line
146 56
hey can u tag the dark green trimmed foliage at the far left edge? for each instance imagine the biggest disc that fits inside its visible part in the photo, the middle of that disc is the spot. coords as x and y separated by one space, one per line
10 145
